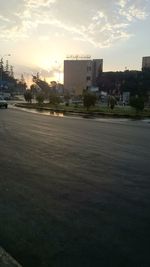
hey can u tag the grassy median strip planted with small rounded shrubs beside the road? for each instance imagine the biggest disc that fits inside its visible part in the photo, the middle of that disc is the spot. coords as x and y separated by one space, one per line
89 106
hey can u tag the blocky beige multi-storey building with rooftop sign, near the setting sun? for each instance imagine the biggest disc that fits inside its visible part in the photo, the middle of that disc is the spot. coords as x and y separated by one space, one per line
81 74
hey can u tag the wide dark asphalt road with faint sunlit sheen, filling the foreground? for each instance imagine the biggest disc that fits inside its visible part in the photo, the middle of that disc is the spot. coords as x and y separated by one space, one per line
74 192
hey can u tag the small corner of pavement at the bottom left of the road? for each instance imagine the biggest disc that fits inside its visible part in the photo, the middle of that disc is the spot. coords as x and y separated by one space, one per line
6 260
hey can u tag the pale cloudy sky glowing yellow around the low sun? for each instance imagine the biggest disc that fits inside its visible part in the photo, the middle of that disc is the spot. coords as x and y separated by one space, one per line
39 34
